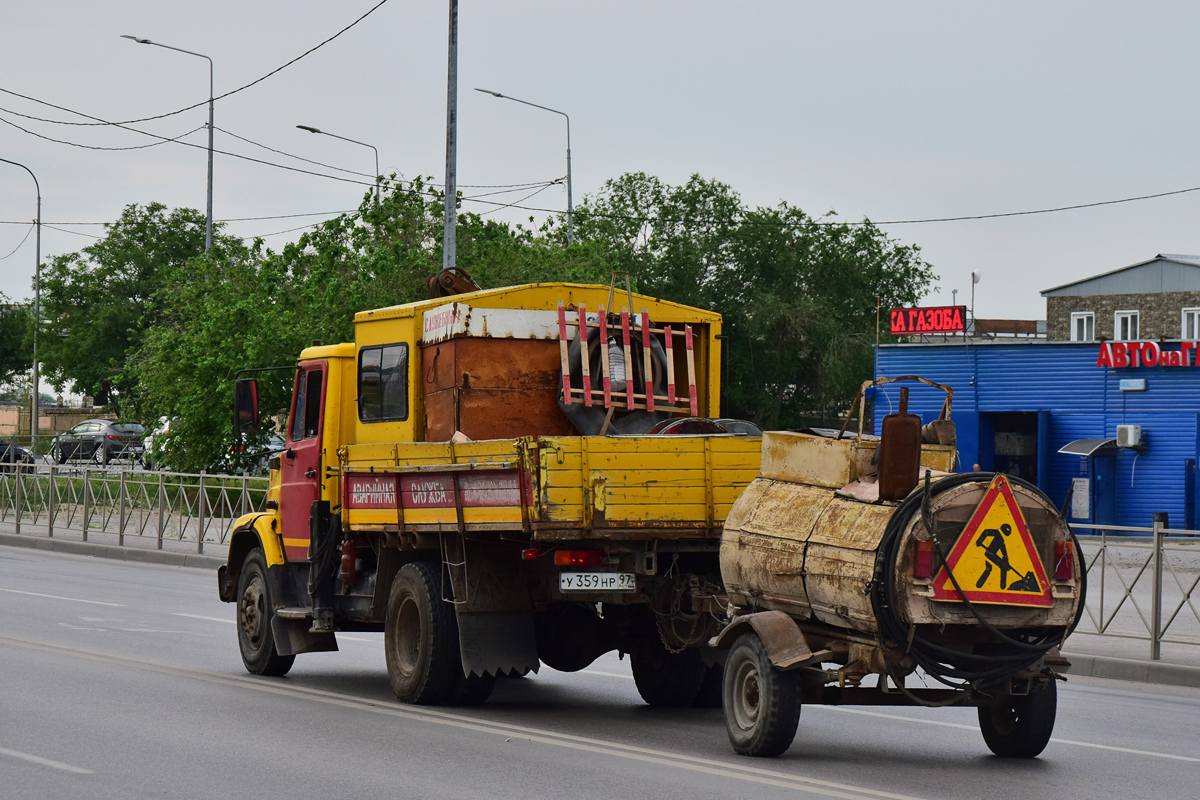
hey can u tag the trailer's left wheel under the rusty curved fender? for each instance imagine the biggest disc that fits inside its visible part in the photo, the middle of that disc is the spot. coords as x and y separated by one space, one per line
763 705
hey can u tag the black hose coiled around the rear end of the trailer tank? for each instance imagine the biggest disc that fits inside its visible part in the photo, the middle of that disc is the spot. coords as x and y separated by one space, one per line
1009 653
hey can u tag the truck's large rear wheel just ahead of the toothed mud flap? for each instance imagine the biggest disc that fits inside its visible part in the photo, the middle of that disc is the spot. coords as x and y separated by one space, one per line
422 637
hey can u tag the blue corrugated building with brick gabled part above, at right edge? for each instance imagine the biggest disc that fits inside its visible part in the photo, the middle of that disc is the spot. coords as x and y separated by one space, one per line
1049 411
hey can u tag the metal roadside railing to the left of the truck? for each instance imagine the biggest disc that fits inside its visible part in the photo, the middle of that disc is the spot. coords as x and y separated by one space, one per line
128 503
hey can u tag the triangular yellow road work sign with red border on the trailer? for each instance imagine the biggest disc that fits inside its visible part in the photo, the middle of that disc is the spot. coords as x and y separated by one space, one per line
994 560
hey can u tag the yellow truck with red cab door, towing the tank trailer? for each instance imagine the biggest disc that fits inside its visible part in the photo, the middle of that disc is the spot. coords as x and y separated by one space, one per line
497 480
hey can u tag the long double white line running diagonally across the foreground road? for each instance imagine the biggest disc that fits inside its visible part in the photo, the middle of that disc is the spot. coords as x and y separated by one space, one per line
617 750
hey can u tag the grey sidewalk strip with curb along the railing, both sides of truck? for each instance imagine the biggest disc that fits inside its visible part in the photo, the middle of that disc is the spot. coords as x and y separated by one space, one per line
1090 655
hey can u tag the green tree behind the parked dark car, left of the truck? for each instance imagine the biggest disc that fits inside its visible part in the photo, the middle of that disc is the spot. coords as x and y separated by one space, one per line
99 303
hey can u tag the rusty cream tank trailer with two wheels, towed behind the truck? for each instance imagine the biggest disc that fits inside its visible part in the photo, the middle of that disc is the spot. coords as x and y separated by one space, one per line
969 585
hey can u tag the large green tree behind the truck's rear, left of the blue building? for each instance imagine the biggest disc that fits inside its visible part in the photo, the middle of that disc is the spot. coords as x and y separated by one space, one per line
797 294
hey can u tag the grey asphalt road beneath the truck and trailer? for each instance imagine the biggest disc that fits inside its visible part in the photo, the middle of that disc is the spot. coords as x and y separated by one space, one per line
123 681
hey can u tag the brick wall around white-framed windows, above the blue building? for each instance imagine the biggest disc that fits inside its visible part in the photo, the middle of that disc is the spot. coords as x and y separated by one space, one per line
1160 314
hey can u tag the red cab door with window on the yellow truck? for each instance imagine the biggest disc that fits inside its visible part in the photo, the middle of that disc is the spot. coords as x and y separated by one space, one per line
301 466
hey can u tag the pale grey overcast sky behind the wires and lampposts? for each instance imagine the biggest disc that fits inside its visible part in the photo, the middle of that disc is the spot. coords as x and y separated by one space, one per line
890 111
